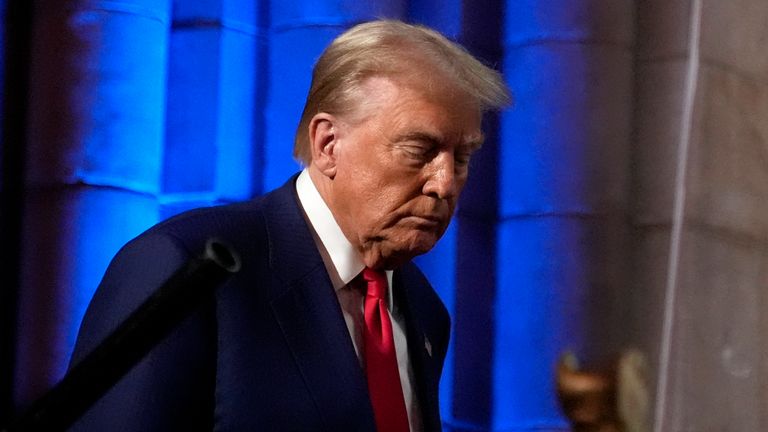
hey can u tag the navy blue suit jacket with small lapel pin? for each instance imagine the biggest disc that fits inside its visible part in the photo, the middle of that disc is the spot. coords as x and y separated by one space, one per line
272 352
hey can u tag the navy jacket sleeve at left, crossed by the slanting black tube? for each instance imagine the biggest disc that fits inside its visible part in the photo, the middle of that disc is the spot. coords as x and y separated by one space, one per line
172 388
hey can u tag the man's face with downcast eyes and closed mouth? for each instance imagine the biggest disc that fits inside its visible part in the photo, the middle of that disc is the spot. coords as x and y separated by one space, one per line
401 162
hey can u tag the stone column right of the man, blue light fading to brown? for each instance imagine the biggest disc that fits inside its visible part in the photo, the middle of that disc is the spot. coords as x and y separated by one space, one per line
563 198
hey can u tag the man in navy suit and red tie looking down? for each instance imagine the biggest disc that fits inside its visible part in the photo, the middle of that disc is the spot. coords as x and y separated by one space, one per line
328 326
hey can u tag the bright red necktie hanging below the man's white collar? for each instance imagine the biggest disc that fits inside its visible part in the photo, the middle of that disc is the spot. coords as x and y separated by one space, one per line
381 359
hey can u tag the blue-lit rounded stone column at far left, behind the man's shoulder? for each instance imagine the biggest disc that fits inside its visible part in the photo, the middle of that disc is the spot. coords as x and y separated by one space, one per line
94 164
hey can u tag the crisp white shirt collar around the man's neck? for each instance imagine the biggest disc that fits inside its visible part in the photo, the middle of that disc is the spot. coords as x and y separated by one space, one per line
341 259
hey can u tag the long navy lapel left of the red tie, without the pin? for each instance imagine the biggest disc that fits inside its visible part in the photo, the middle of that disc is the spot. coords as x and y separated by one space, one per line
308 312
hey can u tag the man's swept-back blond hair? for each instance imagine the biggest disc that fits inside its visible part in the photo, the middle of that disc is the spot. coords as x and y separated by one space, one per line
388 48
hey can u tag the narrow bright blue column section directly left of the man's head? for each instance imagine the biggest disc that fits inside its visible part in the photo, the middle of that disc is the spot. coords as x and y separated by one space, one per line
213 139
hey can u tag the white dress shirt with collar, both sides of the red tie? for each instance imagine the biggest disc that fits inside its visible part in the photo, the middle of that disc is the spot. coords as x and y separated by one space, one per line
343 264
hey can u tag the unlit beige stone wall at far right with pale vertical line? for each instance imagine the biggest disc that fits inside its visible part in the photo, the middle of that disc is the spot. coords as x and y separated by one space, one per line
718 367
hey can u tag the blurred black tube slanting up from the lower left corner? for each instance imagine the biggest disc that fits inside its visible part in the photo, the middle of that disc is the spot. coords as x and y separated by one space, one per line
122 349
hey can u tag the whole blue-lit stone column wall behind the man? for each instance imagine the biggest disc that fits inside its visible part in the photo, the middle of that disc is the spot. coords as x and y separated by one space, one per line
144 108
